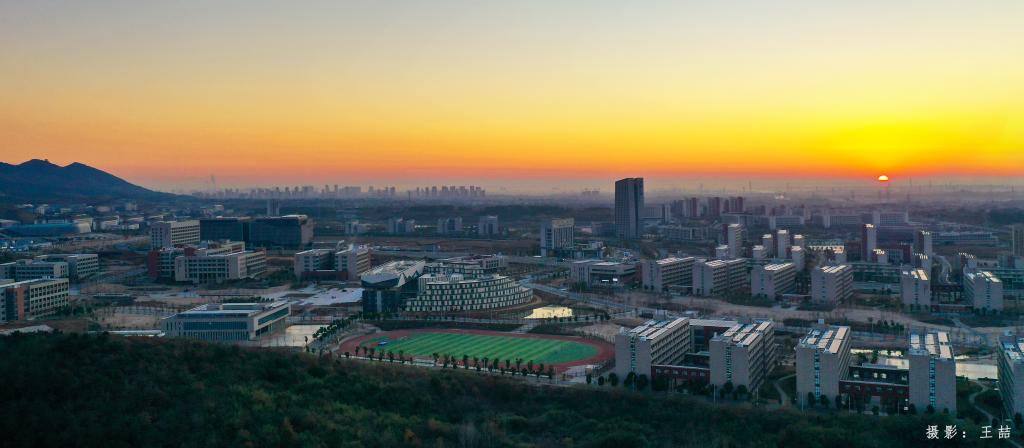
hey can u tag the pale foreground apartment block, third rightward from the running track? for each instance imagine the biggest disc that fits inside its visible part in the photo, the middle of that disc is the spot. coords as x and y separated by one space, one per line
823 361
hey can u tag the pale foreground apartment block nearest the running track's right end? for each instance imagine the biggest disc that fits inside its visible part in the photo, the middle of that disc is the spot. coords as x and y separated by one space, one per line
655 343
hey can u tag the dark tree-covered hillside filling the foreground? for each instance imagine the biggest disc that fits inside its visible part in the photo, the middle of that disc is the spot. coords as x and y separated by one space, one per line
64 390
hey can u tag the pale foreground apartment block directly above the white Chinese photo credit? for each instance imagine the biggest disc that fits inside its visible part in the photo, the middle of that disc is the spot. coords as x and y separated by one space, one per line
933 373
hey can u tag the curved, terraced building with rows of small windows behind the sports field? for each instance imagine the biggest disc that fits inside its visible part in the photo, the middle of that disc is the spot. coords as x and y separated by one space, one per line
453 293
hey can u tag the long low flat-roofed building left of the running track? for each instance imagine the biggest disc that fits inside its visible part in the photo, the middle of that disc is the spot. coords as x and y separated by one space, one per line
229 323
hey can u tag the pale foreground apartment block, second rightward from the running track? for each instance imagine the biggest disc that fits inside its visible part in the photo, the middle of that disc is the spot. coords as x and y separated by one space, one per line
744 355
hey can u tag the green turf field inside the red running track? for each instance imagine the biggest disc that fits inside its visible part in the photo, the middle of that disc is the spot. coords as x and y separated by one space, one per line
425 344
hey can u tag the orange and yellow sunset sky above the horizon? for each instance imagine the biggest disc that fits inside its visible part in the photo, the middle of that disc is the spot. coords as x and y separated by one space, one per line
514 93
